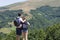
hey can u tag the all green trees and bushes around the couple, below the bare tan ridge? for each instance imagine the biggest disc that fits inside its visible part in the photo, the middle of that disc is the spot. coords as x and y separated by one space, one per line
45 23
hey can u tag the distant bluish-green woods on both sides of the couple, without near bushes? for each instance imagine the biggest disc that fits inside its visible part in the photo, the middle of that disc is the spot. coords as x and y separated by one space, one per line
41 17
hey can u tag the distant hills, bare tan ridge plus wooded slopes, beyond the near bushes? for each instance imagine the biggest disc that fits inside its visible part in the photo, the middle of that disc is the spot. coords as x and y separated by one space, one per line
41 13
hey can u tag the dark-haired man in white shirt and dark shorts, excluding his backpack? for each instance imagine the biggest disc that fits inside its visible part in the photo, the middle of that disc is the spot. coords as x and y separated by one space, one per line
19 28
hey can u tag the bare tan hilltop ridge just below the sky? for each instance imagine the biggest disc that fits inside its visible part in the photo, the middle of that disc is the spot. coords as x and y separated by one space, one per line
32 4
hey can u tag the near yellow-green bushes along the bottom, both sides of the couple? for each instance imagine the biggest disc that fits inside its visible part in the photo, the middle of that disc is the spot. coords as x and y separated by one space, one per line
51 33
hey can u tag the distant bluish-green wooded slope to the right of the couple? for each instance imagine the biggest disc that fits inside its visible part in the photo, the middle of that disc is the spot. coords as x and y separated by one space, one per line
45 16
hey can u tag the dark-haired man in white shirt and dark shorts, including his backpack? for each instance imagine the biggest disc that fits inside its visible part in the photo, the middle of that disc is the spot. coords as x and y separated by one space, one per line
18 23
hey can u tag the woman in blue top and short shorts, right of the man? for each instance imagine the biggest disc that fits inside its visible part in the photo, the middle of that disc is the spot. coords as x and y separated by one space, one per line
25 29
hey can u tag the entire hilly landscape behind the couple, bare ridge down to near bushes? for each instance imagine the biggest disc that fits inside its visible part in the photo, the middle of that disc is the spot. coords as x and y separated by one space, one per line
43 15
